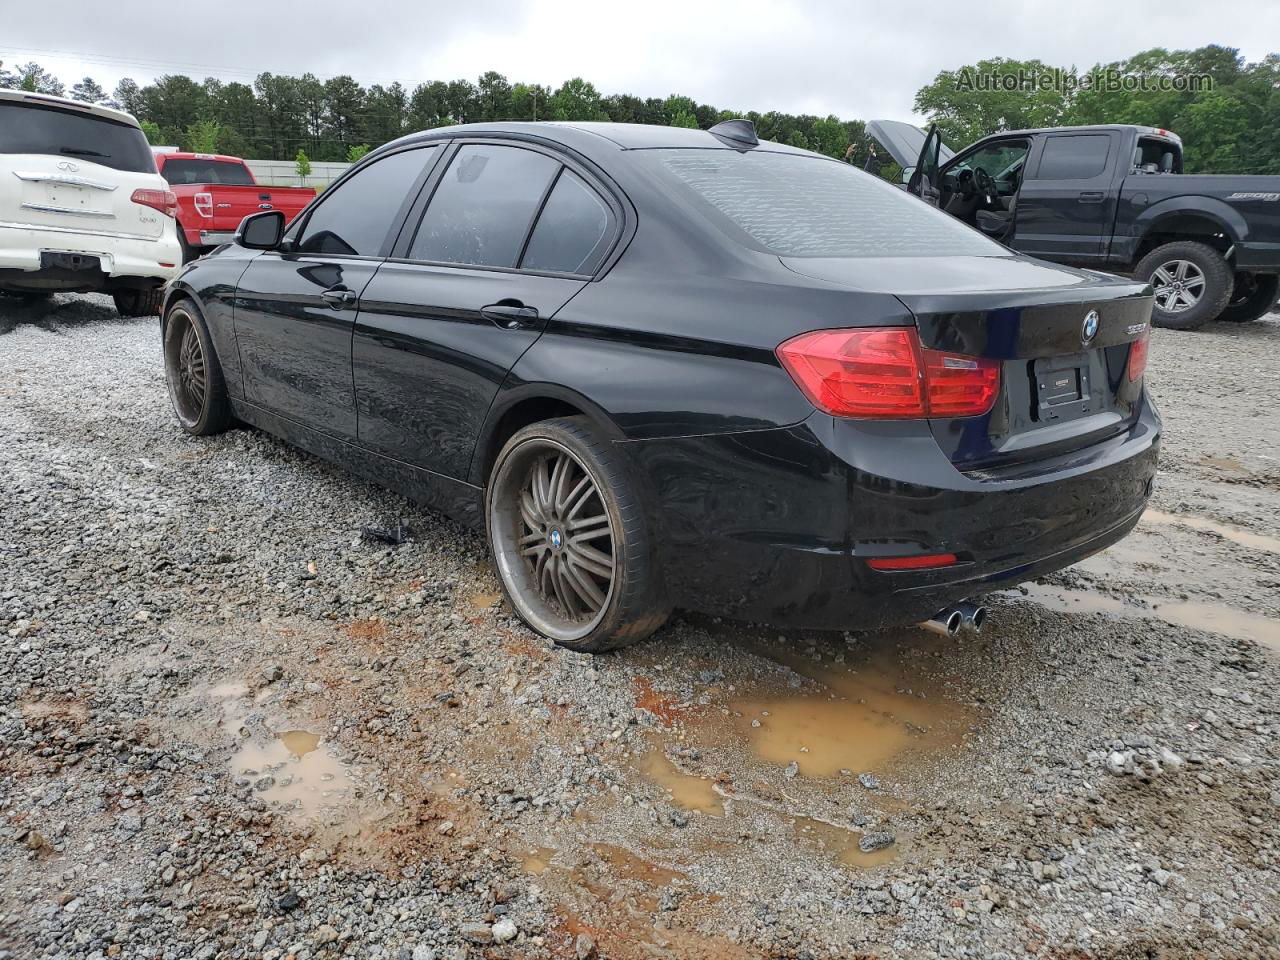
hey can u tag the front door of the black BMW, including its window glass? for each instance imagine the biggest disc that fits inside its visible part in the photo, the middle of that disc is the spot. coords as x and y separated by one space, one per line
296 307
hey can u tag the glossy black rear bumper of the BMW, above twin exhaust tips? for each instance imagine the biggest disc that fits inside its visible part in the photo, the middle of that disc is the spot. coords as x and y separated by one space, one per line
778 525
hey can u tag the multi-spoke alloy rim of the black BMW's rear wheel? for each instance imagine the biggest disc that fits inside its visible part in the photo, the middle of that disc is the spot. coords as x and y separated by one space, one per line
554 540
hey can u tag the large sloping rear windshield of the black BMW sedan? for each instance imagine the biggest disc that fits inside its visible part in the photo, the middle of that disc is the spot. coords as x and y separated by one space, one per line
799 205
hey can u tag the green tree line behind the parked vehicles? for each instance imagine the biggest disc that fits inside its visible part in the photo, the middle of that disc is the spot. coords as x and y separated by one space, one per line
1232 125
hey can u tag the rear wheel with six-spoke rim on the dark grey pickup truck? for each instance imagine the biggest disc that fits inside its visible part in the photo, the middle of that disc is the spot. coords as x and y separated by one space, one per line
1192 284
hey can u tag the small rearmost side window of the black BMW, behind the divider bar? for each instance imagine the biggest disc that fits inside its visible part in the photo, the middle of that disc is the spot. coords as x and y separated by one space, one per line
573 230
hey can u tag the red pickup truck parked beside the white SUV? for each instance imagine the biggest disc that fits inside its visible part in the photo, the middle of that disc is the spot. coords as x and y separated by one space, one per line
216 194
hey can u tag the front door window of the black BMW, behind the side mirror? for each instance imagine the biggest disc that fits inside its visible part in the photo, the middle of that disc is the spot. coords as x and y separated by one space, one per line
356 217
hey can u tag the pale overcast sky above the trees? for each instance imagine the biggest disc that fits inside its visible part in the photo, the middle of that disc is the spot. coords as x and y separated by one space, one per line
856 61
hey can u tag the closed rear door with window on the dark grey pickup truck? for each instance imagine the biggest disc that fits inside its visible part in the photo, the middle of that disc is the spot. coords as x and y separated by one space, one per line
1067 207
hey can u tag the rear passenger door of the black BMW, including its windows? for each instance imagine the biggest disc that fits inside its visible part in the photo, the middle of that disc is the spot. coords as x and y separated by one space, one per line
509 235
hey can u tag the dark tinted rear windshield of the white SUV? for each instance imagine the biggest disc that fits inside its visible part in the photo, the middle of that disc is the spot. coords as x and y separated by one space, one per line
34 129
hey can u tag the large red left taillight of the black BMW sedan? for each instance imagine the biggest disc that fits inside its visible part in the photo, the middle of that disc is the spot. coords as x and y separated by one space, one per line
884 372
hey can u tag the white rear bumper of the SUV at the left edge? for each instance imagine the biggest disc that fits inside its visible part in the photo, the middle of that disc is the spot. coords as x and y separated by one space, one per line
125 260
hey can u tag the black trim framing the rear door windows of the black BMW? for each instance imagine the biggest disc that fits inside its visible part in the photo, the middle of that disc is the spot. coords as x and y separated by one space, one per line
621 227
